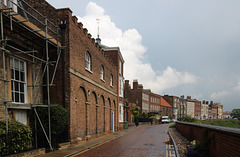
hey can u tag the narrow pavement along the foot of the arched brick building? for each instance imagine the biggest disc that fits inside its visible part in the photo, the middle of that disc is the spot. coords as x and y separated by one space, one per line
83 146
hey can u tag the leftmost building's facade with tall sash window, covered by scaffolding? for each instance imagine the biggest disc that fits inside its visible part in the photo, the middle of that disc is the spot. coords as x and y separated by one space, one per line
27 39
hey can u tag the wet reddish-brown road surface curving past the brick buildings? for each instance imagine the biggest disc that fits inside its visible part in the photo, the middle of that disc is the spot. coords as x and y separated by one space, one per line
144 141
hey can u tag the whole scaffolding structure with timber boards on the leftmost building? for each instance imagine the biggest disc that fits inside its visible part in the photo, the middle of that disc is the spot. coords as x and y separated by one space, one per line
21 14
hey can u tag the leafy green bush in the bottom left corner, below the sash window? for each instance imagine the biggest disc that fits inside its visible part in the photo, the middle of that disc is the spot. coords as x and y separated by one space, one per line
17 139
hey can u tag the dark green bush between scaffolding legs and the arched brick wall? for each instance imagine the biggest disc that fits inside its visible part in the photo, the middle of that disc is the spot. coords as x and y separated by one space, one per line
59 117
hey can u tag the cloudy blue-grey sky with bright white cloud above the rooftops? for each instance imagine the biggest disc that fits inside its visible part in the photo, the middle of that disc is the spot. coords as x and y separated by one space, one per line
172 47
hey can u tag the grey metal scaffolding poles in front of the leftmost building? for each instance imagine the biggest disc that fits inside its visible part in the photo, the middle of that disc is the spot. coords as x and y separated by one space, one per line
6 12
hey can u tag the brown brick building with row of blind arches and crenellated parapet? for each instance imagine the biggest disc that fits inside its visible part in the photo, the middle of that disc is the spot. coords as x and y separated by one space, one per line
88 78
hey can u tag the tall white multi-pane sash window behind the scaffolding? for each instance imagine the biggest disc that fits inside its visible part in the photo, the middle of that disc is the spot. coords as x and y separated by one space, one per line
18 80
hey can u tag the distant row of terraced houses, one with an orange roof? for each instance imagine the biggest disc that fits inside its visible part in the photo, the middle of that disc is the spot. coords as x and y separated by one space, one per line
172 106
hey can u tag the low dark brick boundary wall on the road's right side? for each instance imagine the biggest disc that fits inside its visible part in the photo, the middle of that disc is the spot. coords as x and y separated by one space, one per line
222 141
